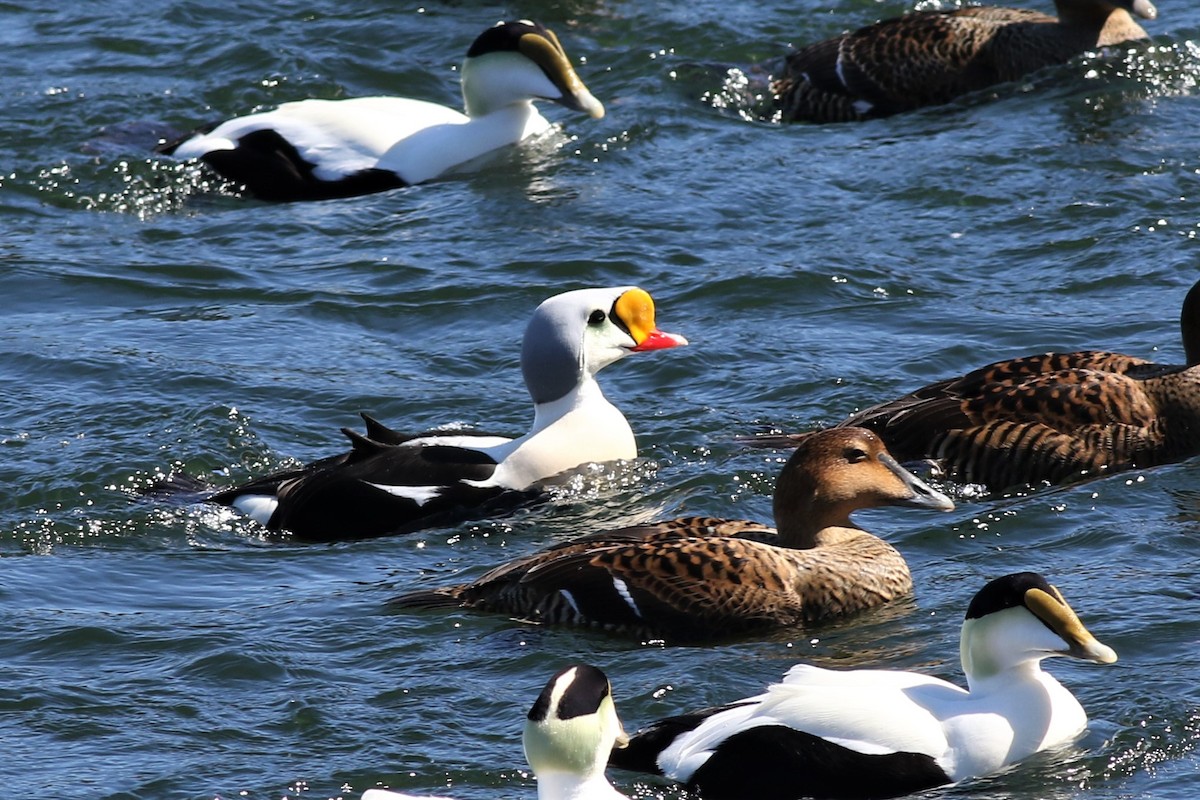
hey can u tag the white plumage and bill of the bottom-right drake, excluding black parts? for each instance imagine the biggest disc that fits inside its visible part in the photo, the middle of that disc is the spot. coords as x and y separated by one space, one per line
1012 711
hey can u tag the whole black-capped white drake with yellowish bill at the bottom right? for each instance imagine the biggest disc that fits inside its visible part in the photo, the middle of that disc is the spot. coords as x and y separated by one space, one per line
869 733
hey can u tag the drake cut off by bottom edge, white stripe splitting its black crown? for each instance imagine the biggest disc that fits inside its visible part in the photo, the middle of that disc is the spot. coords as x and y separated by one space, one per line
569 733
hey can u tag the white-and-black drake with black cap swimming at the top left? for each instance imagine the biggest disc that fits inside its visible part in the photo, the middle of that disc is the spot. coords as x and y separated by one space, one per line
321 149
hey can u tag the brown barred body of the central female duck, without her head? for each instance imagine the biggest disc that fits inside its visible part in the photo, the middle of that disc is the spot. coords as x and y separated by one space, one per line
700 588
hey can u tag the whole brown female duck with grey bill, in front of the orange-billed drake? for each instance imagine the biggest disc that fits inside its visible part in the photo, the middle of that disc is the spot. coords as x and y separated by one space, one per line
700 578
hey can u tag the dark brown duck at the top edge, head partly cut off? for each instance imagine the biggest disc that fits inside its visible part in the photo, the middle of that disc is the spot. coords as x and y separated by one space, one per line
927 58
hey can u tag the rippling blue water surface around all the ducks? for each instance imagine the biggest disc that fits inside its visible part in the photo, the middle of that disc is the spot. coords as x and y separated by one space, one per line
153 321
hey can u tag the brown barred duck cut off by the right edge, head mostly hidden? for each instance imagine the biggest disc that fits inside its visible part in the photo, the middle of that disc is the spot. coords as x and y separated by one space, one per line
1049 419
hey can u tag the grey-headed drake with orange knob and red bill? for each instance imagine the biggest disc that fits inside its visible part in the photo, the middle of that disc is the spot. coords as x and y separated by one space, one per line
391 483
